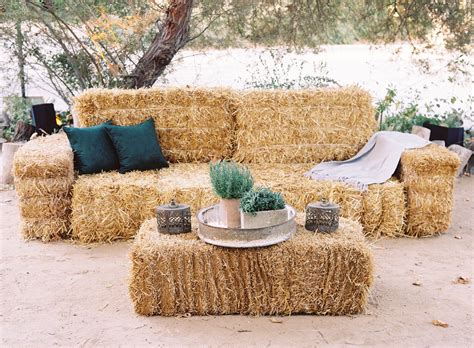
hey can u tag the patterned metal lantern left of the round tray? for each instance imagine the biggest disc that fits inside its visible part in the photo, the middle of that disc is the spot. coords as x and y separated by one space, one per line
173 218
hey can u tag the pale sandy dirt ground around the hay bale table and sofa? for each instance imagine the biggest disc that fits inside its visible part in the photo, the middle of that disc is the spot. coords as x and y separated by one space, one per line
70 295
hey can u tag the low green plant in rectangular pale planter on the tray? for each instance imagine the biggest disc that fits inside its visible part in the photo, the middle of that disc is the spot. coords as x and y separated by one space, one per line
262 207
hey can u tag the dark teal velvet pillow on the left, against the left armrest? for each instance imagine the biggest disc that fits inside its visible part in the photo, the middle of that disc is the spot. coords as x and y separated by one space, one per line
93 149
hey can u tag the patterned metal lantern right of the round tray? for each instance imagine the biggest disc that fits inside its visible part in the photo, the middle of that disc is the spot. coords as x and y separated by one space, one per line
322 216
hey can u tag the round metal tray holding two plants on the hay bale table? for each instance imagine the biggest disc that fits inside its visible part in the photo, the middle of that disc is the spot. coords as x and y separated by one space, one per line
213 232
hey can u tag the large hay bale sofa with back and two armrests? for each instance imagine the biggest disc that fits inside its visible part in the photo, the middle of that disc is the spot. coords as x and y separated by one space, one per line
278 134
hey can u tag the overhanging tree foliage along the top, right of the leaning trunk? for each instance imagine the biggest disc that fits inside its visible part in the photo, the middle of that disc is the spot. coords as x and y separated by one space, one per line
310 23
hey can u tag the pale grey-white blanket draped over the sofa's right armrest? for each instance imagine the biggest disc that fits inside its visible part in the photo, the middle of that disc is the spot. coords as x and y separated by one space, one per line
375 163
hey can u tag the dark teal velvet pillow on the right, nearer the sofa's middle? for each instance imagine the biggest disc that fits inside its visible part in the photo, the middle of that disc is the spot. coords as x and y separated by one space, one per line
137 146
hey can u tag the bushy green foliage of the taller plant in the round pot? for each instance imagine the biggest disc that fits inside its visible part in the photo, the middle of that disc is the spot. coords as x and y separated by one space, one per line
230 180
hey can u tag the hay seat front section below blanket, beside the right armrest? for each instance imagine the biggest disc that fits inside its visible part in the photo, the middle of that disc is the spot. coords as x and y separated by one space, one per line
384 210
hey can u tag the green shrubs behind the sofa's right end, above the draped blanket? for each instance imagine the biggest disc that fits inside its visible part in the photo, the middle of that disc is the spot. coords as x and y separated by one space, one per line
402 116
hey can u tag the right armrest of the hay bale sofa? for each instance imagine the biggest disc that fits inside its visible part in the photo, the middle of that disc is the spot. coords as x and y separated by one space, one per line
428 175
